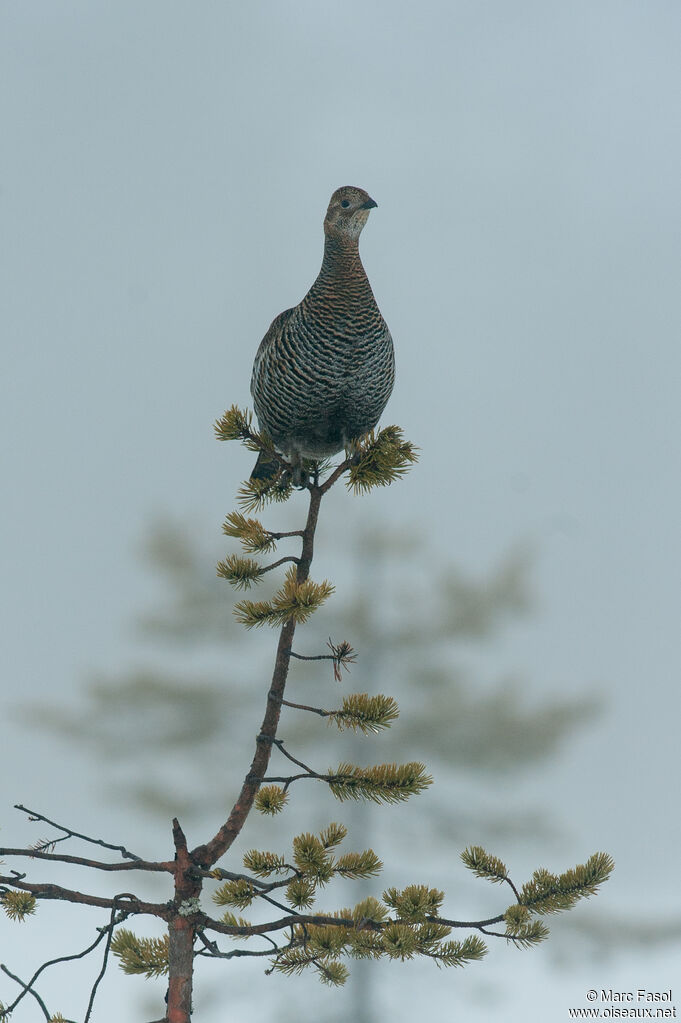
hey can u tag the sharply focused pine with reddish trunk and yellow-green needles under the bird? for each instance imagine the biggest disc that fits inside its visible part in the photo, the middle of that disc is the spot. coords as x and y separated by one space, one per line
402 923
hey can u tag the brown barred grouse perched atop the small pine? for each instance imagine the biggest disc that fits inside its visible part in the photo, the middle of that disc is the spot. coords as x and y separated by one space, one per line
326 370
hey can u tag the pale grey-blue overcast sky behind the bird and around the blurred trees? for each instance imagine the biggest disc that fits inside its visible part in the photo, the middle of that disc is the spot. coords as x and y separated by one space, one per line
164 175
